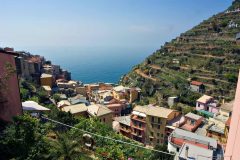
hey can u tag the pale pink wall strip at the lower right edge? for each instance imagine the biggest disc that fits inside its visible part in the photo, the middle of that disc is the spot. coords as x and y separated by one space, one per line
233 142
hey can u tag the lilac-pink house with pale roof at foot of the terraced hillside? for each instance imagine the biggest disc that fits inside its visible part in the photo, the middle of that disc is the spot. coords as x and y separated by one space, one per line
207 103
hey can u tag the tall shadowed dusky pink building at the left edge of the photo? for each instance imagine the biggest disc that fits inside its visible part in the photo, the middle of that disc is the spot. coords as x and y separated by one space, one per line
10 104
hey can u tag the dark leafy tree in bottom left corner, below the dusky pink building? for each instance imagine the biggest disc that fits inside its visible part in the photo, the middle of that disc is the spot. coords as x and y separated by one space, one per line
24 139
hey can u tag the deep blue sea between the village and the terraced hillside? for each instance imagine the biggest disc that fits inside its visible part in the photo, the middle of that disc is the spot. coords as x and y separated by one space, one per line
91 65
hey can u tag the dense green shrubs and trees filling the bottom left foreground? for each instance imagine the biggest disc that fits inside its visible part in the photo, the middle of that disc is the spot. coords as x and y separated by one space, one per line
30 138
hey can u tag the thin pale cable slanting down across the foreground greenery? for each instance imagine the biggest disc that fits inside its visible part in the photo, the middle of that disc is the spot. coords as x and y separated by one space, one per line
104 137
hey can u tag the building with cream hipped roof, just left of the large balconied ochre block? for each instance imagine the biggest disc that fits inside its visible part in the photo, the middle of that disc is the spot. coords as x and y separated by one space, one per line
104 114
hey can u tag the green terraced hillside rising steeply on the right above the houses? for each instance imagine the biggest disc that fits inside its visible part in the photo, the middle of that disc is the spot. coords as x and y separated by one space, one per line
208 53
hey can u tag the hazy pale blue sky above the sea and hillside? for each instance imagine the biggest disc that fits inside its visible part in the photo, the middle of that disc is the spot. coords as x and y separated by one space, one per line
105 23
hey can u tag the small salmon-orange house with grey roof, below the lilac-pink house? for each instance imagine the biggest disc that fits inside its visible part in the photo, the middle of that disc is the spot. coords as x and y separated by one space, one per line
192 122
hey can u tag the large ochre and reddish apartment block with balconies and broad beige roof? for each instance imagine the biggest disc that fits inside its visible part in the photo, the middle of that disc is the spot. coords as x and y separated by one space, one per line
148 123
